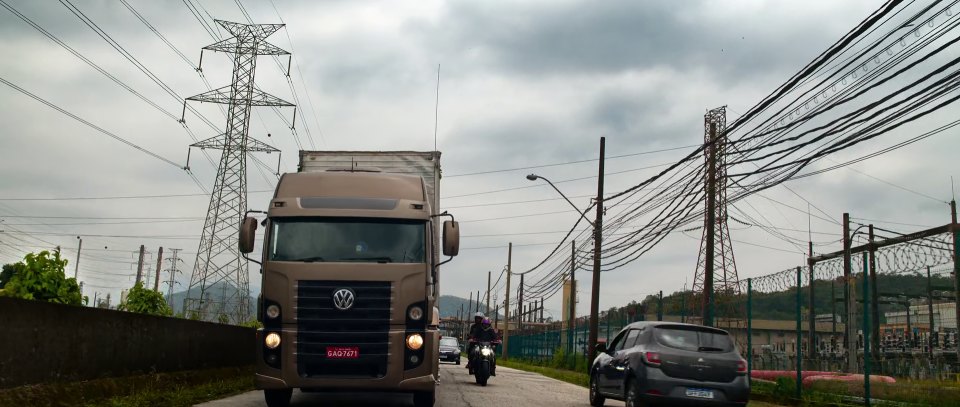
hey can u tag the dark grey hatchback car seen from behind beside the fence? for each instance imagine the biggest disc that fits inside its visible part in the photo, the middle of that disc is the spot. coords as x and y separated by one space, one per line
671 364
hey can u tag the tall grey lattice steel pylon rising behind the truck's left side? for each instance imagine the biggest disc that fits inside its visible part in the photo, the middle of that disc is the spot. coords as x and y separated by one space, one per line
218 258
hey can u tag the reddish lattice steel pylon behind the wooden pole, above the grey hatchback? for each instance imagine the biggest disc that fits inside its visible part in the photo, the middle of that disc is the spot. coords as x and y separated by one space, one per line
716 275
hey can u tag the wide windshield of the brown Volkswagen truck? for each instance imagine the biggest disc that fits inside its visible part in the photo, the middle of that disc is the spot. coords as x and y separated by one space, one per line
366 240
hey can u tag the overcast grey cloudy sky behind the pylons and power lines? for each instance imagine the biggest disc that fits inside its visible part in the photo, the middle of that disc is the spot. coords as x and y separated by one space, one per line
522 84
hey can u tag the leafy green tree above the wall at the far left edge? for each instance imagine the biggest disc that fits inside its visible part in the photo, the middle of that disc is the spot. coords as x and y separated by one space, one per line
40 277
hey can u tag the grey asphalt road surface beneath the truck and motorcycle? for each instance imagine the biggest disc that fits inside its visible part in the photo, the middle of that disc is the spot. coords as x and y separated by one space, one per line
509 388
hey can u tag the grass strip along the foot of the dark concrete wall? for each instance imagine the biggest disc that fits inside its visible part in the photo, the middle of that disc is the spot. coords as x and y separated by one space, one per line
159 389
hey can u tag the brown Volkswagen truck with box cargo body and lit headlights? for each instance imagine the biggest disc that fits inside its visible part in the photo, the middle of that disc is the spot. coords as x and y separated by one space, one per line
350 276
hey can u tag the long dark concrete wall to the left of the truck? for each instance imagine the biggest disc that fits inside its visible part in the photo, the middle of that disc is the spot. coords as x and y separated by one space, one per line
43 342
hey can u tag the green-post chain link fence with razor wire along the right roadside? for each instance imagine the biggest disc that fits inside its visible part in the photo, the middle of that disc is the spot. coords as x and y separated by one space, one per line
876 323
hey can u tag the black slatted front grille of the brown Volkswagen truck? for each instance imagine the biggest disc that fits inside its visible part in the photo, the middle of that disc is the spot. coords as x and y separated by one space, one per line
364 325
